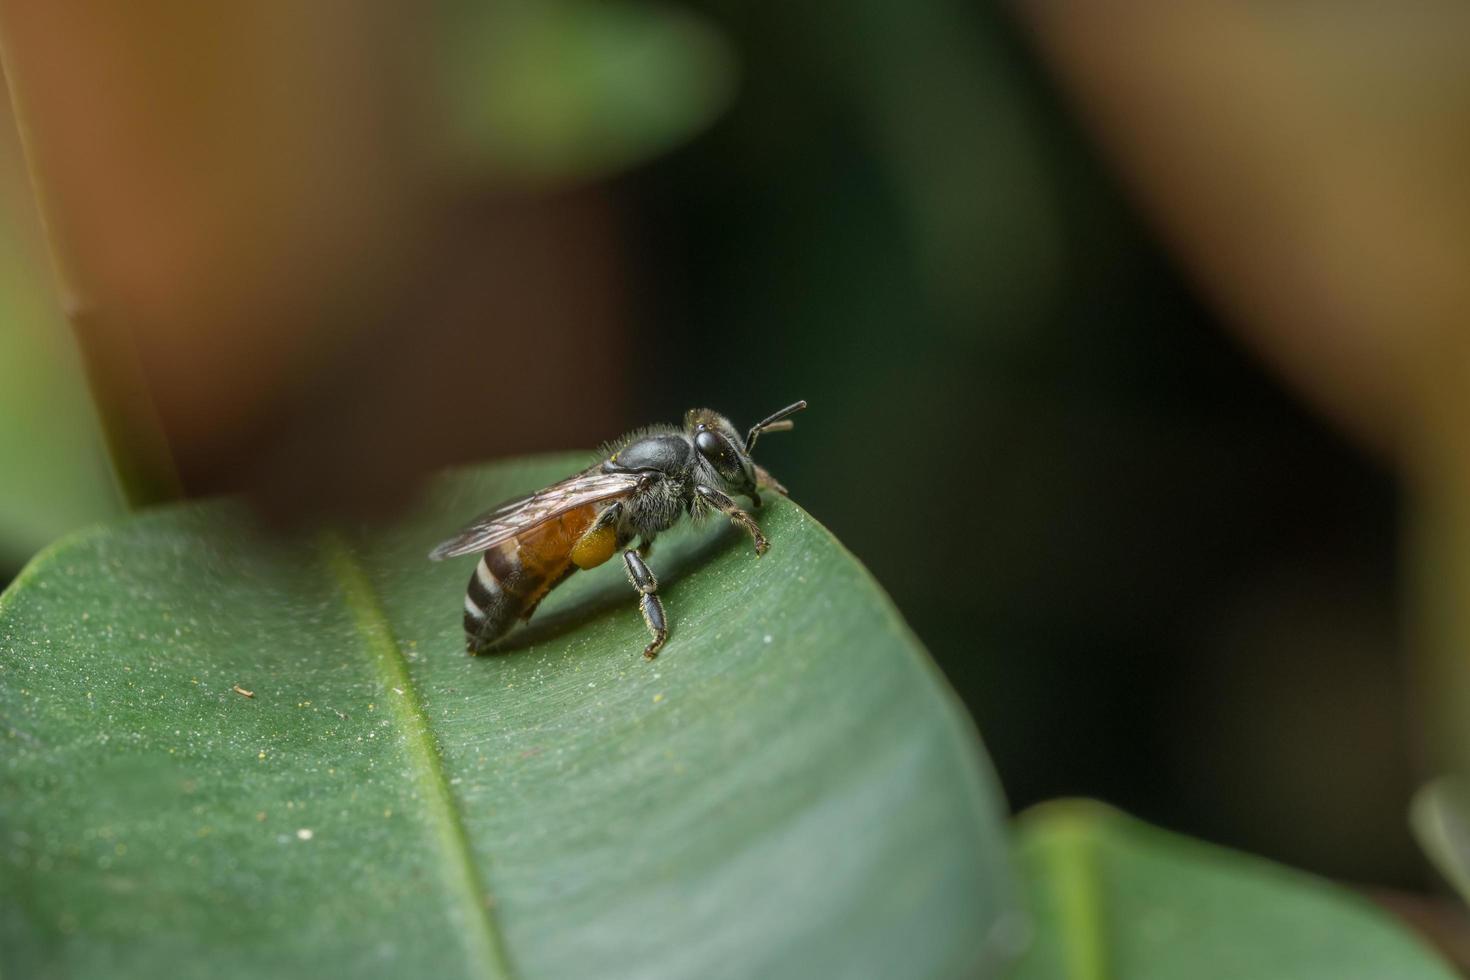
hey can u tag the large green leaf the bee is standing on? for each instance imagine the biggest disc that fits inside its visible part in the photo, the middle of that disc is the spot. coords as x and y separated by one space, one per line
790 790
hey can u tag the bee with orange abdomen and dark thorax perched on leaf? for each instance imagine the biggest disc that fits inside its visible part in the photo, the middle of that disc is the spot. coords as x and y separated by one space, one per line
649 481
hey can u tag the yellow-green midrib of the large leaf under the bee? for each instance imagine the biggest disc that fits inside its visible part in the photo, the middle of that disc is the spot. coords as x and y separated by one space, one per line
484 944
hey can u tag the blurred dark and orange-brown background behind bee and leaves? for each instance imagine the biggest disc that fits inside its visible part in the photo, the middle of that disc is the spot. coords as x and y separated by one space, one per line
1130 339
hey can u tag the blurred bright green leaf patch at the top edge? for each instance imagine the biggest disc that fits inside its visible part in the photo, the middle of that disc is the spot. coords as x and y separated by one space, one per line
577 89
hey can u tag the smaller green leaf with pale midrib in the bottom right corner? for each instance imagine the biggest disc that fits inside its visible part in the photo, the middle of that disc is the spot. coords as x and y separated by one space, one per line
1116 898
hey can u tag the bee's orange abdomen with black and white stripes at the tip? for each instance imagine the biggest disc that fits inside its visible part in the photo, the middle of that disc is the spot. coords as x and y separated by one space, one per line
512 578
